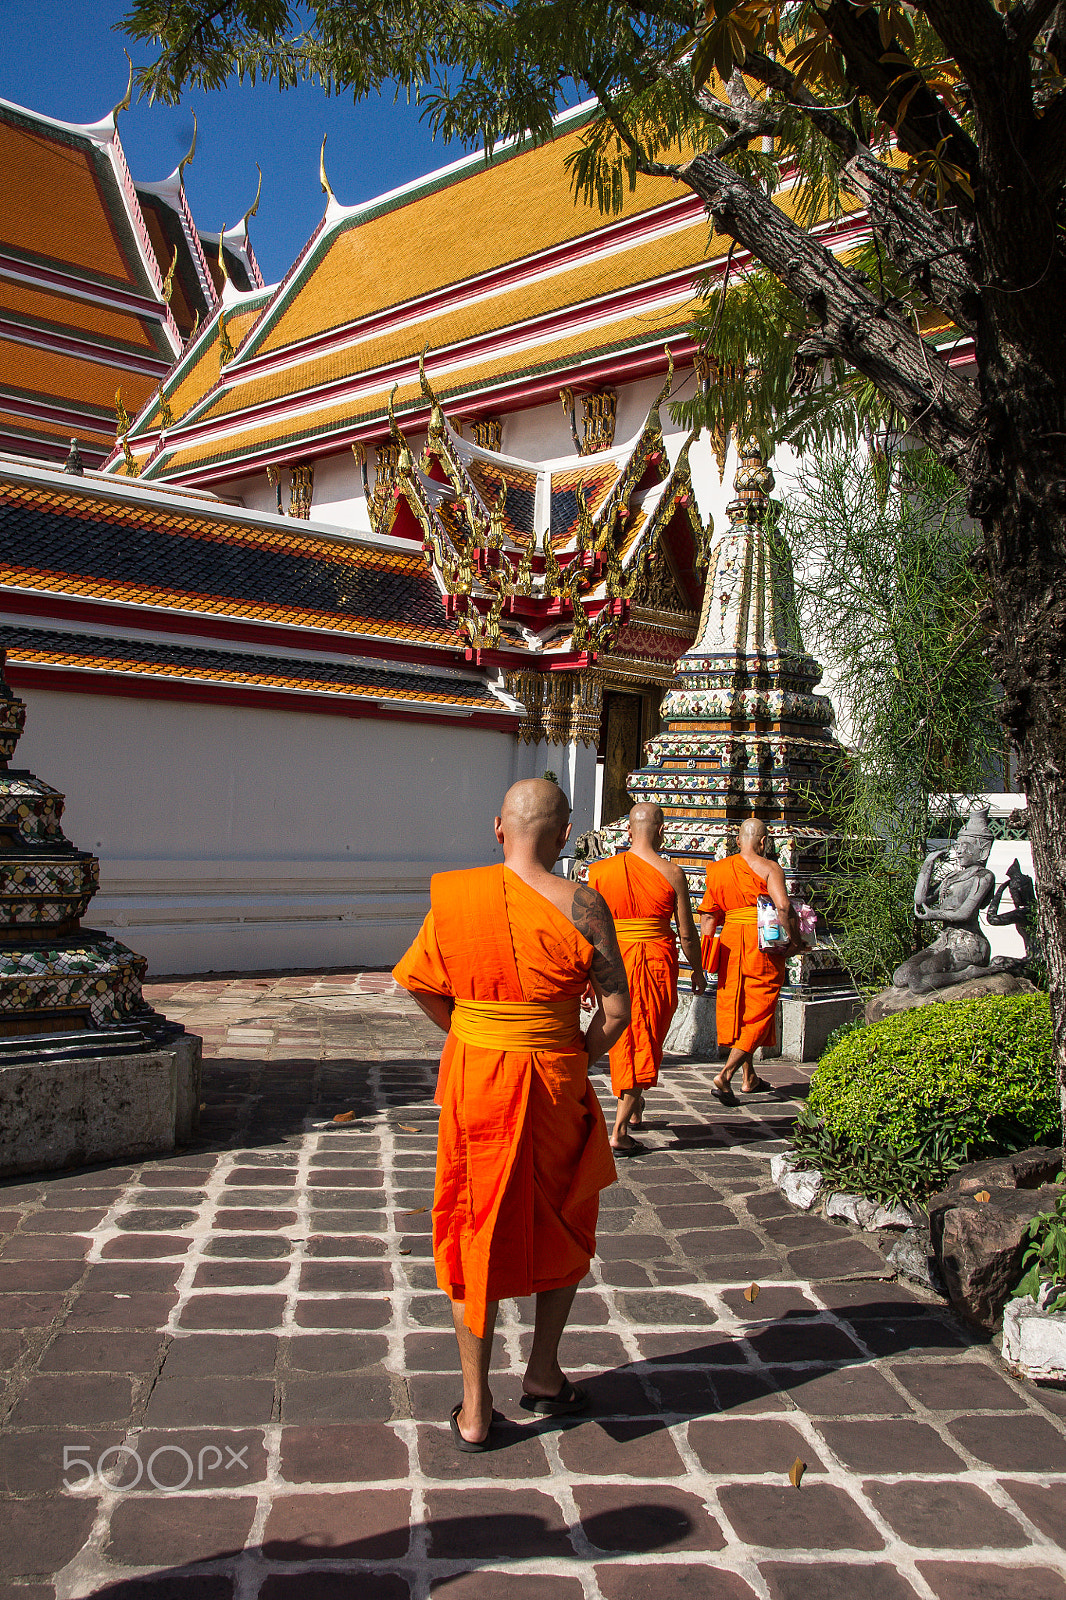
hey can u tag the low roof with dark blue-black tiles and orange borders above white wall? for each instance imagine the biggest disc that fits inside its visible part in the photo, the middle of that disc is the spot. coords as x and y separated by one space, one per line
108 582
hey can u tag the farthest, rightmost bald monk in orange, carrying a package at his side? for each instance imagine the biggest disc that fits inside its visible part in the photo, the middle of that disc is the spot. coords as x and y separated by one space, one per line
750 980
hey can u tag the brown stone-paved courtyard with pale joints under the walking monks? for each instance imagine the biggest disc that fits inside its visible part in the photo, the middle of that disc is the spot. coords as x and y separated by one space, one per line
239 1364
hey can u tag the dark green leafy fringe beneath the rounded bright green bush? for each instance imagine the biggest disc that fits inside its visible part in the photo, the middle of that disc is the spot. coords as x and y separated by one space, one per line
876 1170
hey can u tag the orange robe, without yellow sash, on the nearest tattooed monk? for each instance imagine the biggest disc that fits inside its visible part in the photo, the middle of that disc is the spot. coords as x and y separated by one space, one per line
523 1148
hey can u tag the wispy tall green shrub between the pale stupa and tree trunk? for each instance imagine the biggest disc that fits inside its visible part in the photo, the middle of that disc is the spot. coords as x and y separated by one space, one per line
888 598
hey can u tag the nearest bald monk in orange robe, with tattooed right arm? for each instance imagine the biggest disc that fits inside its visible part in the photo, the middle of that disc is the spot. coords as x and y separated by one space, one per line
500 966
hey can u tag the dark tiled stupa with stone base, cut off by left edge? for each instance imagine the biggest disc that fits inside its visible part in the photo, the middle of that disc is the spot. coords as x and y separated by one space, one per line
87 1068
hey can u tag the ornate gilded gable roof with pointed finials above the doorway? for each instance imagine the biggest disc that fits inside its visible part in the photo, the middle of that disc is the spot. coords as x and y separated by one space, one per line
547 561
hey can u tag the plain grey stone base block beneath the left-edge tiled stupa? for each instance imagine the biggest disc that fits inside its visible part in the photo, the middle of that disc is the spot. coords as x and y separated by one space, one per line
62 1106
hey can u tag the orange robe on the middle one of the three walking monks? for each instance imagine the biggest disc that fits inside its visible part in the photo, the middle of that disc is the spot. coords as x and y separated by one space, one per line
635 889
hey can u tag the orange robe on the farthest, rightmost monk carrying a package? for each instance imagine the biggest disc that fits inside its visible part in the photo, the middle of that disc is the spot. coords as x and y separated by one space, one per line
750 980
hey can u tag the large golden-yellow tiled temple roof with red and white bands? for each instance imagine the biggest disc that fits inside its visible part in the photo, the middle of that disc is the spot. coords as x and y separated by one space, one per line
489 265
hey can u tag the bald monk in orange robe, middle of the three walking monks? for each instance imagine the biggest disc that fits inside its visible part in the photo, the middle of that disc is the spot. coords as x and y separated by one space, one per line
644 890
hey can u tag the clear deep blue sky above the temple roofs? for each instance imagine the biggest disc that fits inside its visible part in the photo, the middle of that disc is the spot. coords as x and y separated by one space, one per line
63 58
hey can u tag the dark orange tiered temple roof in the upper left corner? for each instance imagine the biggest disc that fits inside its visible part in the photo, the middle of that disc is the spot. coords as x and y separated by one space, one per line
102 281
